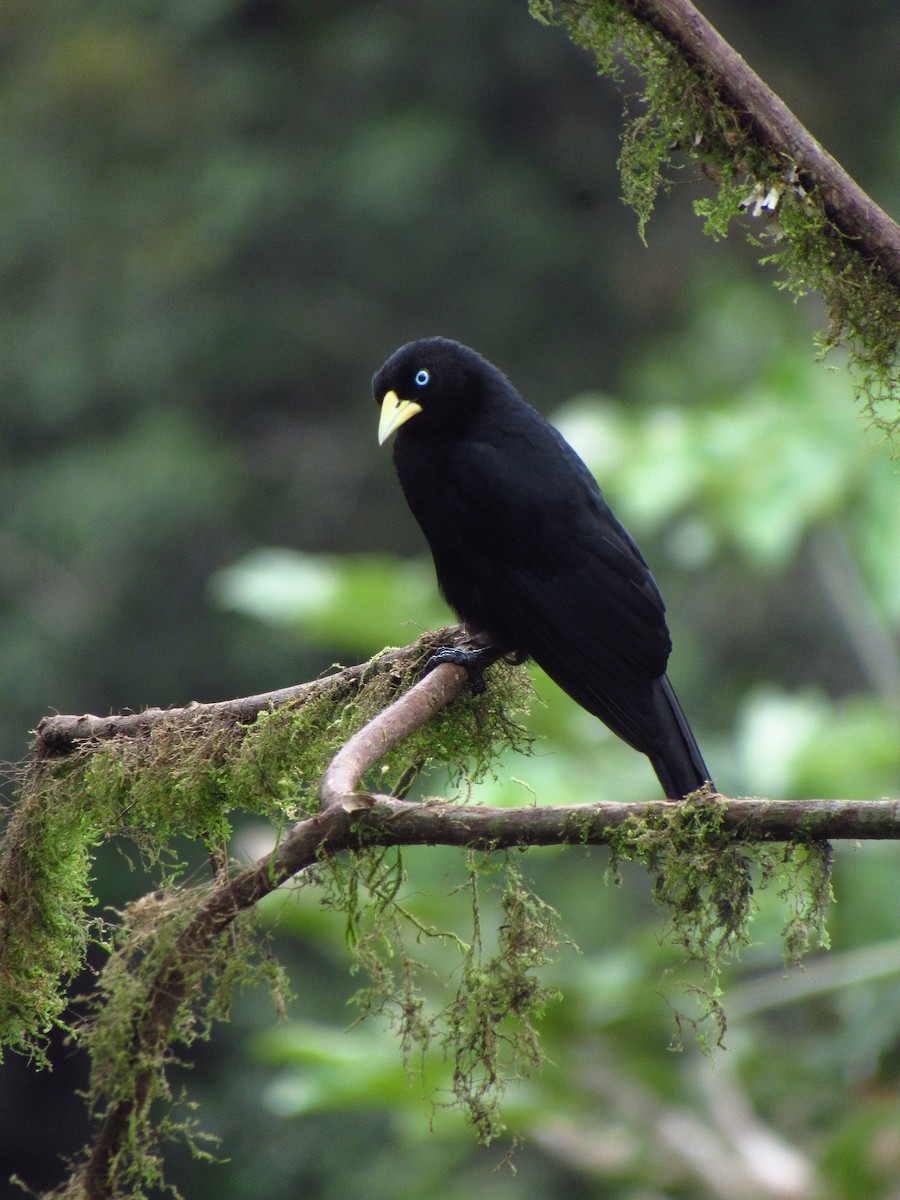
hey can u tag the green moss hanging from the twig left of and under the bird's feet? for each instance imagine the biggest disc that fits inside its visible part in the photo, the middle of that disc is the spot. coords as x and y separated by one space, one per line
181 781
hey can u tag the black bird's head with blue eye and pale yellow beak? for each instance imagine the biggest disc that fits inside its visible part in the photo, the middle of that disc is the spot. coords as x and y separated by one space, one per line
435 381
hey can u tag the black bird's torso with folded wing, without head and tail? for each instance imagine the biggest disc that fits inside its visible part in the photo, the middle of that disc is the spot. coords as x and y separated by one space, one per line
527 550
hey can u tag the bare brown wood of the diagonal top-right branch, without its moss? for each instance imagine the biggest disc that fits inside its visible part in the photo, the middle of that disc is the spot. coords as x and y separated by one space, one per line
851 211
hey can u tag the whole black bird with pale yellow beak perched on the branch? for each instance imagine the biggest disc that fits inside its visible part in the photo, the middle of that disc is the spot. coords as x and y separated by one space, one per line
527 550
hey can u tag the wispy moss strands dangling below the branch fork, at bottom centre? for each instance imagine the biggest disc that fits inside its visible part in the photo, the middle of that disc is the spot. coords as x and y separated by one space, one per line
487 1025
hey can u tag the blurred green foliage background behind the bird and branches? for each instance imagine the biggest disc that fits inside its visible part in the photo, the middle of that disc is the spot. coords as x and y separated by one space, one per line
220 219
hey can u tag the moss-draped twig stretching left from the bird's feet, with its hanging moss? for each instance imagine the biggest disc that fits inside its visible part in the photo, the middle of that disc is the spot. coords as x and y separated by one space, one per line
155 777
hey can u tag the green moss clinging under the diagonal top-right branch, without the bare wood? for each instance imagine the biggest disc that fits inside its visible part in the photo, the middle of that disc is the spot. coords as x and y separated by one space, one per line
680 118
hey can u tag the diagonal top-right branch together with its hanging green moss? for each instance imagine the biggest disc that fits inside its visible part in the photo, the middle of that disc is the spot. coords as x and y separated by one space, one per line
704 101
